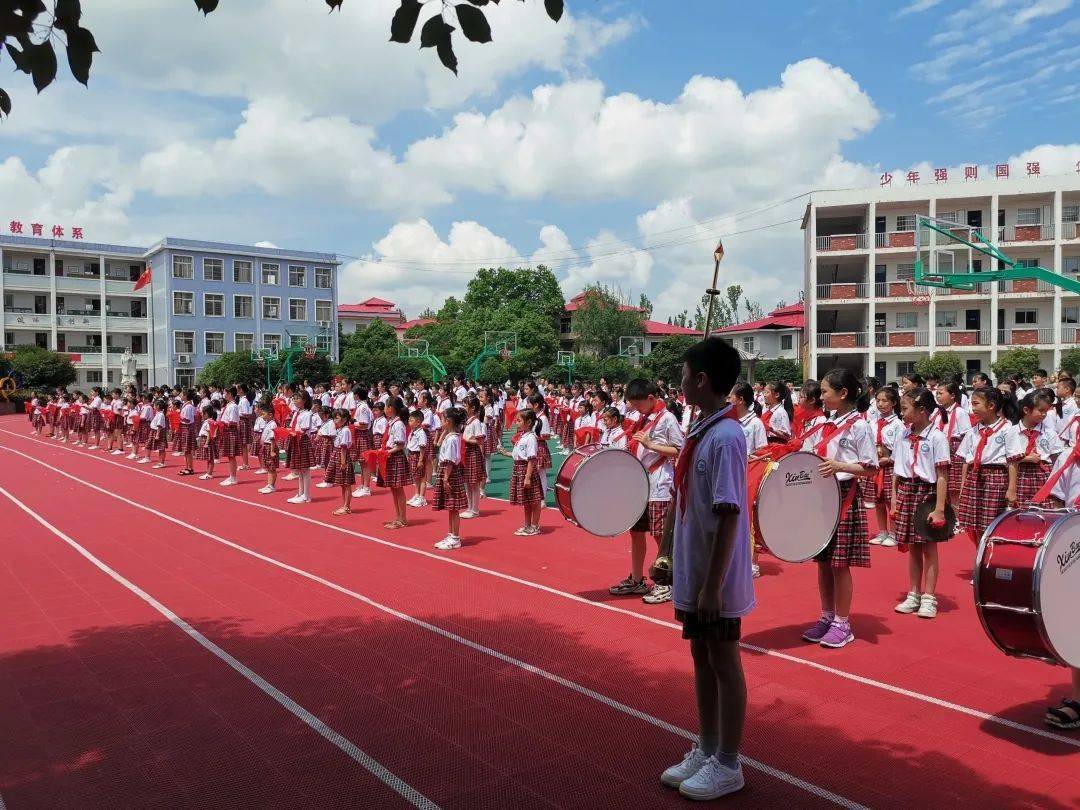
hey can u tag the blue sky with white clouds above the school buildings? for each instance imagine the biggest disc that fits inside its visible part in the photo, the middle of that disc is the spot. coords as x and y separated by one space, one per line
556 143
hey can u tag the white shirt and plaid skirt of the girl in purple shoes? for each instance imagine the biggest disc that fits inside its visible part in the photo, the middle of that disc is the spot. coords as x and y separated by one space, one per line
848 440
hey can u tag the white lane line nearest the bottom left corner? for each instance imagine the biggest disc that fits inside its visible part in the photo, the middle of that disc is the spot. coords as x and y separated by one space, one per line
396 784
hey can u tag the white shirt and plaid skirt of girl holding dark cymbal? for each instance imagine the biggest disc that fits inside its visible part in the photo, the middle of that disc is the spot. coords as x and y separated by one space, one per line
917 460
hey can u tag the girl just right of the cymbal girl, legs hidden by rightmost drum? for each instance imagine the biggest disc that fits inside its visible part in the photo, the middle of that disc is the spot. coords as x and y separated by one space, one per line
987 477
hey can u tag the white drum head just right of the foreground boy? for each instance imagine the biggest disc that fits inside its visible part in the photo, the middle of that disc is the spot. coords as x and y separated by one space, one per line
798 509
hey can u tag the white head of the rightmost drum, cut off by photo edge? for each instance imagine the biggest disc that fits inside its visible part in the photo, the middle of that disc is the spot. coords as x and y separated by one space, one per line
1058 590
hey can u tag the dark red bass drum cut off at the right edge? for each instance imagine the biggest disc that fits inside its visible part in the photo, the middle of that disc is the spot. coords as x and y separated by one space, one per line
1028 585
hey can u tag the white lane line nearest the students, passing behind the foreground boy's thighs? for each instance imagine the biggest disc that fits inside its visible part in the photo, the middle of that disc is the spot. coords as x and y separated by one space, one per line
976 713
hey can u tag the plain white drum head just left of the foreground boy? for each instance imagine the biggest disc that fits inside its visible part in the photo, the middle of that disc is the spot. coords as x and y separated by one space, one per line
610 493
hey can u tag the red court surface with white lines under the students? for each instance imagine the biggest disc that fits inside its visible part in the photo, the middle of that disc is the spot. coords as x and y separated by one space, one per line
167 642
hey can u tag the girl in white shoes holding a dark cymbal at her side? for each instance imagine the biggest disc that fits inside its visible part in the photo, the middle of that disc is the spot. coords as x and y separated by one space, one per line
921 461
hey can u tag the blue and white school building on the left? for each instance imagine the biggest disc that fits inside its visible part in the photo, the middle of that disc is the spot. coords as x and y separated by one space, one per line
205 300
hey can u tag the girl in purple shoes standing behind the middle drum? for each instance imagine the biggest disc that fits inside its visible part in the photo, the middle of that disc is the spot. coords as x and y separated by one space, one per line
847 445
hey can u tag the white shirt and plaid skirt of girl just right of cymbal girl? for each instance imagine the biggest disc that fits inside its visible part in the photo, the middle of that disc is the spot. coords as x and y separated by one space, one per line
983 497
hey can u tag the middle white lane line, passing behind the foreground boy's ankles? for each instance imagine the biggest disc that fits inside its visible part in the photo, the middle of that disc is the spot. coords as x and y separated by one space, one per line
782 776
